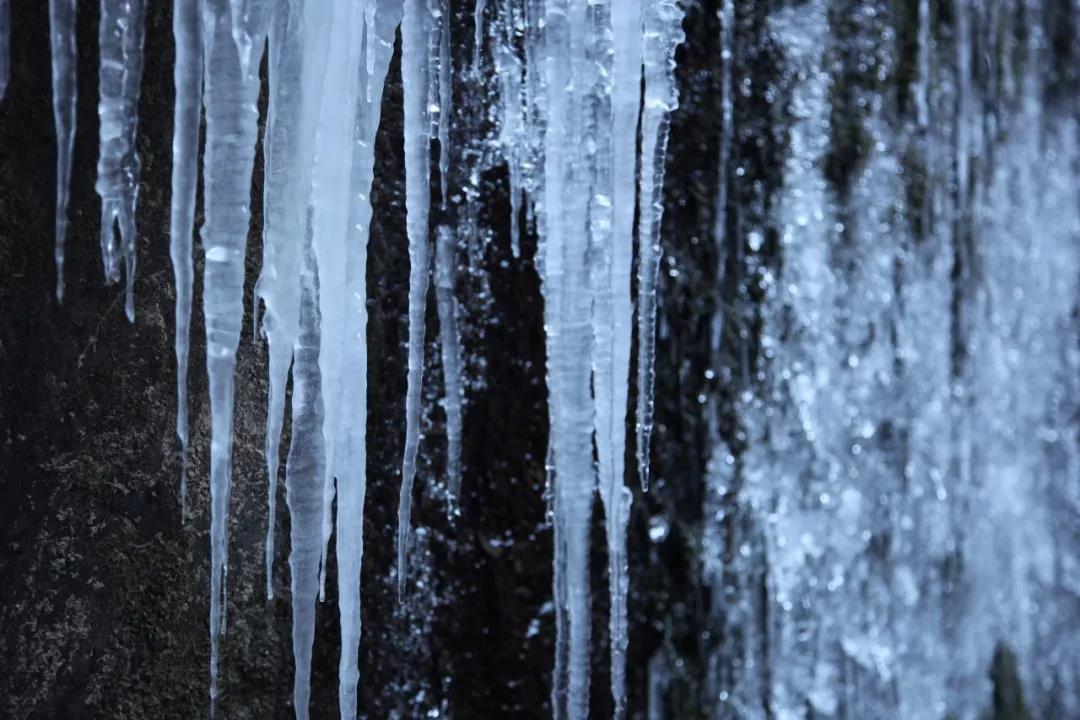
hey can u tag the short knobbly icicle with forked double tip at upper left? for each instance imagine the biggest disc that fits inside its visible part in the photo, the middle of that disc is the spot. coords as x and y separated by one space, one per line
120 73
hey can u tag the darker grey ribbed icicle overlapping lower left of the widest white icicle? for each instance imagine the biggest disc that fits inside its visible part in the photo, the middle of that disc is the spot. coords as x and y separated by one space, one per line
304 484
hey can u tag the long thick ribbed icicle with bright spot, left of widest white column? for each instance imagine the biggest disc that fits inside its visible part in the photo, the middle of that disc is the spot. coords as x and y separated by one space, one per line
232 131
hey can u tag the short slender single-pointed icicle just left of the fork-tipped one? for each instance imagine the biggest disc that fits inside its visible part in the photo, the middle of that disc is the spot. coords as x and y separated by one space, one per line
62 15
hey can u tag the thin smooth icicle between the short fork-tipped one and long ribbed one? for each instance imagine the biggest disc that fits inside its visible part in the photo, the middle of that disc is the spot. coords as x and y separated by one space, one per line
187 78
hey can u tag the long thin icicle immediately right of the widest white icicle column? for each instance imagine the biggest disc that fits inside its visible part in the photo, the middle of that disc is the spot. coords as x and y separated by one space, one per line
416 26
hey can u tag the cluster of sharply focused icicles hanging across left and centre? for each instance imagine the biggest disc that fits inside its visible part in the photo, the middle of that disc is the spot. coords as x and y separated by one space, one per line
572 104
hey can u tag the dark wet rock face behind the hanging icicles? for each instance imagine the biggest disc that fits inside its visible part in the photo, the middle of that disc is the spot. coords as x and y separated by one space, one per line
104 599
